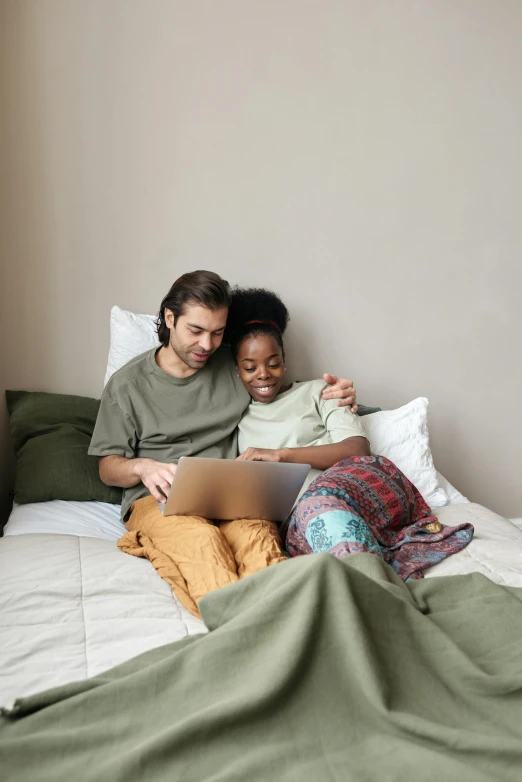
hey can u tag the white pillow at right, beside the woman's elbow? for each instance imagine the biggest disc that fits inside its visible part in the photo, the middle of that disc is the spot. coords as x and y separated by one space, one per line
402 436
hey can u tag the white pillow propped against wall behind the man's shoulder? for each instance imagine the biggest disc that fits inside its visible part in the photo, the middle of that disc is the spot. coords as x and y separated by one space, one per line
131 335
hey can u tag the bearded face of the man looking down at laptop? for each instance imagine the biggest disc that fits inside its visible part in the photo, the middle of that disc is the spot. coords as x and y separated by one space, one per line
197 334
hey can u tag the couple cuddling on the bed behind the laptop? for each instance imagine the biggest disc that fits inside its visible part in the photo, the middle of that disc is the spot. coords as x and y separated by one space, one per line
194 396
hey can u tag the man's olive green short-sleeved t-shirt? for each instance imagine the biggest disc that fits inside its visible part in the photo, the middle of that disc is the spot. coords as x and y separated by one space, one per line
145 412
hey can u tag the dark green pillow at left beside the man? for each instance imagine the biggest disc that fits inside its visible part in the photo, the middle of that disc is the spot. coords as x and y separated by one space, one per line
51 434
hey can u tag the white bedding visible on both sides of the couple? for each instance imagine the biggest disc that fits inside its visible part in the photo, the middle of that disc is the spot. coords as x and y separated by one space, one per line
73 605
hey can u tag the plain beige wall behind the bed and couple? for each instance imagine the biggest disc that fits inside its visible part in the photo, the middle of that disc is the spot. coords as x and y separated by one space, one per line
362 158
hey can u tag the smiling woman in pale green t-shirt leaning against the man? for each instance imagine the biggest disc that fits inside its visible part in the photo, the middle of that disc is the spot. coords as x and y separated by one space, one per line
361 503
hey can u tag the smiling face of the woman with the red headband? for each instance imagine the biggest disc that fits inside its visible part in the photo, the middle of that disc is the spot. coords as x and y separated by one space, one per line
261 365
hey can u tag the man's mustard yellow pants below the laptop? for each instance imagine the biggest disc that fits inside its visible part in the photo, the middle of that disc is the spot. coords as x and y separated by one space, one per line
195 555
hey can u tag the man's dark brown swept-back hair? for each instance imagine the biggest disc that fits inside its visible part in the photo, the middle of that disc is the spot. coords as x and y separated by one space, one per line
206 289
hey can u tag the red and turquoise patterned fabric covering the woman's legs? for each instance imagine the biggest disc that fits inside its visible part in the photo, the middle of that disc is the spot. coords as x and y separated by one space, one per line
366 504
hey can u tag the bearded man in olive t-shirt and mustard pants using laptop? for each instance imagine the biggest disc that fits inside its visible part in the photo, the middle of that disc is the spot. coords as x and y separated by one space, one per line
183 399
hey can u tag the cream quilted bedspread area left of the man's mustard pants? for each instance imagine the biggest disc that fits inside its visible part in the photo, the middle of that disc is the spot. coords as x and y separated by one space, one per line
71 607
